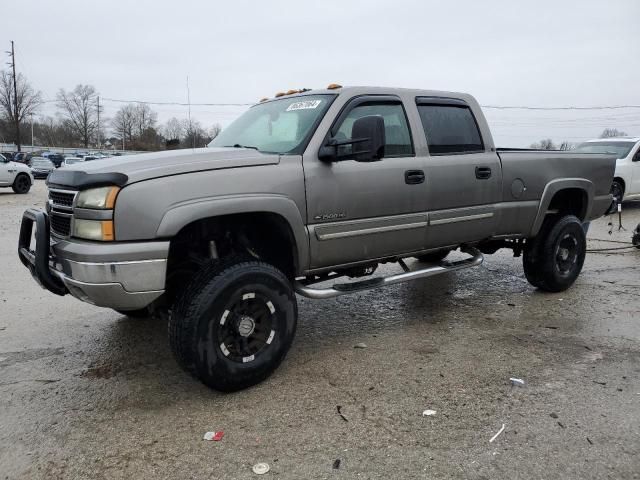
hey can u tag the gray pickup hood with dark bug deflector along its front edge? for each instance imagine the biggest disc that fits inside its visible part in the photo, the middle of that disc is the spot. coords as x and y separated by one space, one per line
134 168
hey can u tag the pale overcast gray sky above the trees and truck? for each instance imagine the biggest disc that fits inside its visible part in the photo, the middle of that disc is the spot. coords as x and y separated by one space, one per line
542 53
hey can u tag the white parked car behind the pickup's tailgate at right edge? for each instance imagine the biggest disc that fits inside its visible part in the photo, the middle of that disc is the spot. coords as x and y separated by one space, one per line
626 181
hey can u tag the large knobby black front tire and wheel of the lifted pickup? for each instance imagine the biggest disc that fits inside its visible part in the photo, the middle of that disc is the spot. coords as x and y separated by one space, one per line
233 324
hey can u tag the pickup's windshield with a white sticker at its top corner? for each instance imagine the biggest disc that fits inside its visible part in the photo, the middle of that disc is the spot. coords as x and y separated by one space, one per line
279 126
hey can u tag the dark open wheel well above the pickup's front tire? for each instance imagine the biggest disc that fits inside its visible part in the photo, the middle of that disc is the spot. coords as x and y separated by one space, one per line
263 235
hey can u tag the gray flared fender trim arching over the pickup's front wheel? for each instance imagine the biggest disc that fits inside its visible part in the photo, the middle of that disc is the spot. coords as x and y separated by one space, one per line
181 215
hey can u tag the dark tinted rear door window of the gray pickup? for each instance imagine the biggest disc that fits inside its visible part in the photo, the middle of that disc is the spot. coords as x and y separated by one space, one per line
449 126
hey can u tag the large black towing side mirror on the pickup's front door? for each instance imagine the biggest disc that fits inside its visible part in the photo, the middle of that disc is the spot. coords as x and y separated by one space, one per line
367 140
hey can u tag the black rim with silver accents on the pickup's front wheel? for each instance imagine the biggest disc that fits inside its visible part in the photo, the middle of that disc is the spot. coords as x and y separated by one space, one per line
246 327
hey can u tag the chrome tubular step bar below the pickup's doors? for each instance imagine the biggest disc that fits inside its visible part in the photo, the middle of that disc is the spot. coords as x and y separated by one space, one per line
338 289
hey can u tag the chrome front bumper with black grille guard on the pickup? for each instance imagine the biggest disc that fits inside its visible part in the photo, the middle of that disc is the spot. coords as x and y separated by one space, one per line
124 276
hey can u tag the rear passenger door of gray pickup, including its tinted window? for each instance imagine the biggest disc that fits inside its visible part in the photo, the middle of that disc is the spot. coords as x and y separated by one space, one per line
464 177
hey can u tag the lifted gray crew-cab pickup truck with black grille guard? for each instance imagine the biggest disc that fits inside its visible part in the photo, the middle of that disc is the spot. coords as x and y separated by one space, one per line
298 194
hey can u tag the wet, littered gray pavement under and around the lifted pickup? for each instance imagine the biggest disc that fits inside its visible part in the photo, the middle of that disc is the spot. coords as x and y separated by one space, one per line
88 393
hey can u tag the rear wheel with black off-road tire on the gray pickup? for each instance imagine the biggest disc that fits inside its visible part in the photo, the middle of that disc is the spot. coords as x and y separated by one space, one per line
553 260
